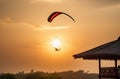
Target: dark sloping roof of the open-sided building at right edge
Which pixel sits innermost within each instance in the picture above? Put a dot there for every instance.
(108, 51)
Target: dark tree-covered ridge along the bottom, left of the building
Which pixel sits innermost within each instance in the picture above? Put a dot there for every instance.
(56, 75)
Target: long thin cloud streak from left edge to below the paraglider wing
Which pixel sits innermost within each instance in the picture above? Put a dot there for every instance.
(10, 22)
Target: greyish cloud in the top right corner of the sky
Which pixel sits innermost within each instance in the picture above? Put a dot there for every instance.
(97, 4)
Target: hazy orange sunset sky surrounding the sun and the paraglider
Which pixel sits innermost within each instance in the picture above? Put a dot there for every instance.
(25, 34)
